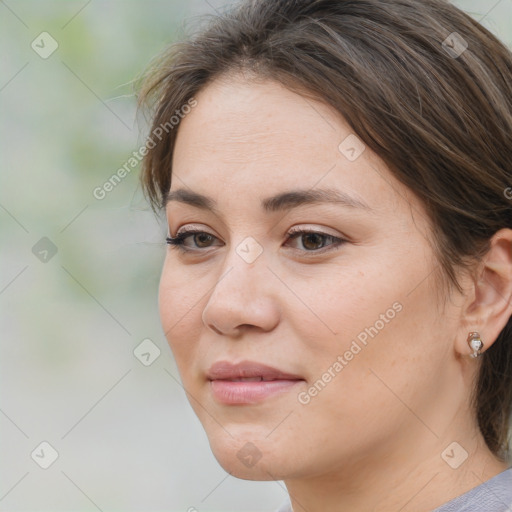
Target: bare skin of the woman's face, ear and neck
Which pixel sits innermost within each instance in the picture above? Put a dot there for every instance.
(372, 438)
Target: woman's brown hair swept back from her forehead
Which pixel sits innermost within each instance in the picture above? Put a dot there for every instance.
(437, 113)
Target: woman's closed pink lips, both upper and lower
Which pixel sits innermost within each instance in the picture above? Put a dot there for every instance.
(248, 382)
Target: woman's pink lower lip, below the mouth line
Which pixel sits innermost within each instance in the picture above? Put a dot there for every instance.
(249, 392)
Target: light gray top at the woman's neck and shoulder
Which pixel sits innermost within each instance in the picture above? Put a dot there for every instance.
(495, 495)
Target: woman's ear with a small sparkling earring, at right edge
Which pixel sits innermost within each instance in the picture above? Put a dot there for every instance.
(489, 304)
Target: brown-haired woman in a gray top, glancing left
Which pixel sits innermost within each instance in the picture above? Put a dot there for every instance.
(338, 283)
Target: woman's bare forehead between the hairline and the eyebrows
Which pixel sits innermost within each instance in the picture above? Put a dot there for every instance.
(252, 138)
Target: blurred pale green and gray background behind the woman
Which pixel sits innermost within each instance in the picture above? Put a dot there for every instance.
(79, 275)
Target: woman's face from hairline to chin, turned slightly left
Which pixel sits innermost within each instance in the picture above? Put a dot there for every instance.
(348, 313)
